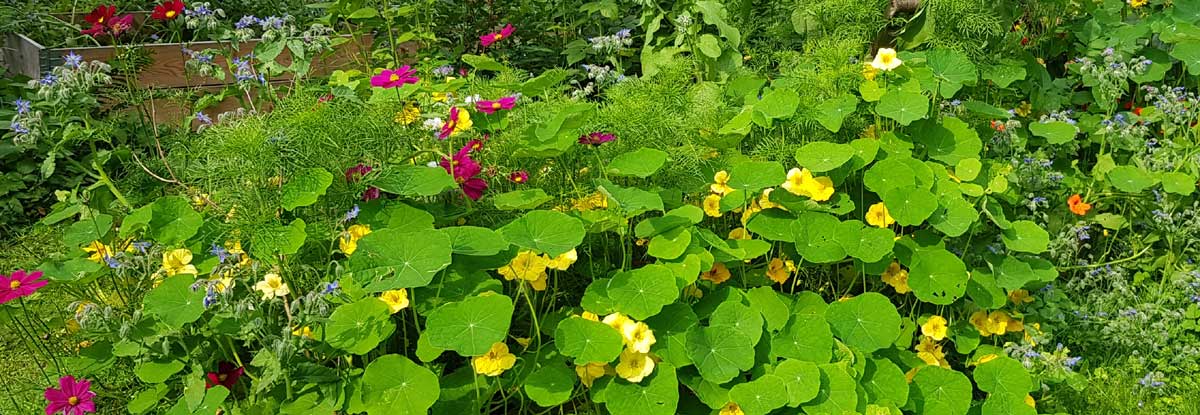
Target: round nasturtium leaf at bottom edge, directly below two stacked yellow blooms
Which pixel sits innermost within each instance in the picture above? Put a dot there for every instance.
(940, 392)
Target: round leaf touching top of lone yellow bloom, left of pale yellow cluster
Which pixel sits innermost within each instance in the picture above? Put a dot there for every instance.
(471, 327)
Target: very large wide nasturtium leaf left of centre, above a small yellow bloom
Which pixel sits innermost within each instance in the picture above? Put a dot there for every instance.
(401, 258)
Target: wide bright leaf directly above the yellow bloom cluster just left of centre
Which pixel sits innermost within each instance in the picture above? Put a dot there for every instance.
(549, 232)
